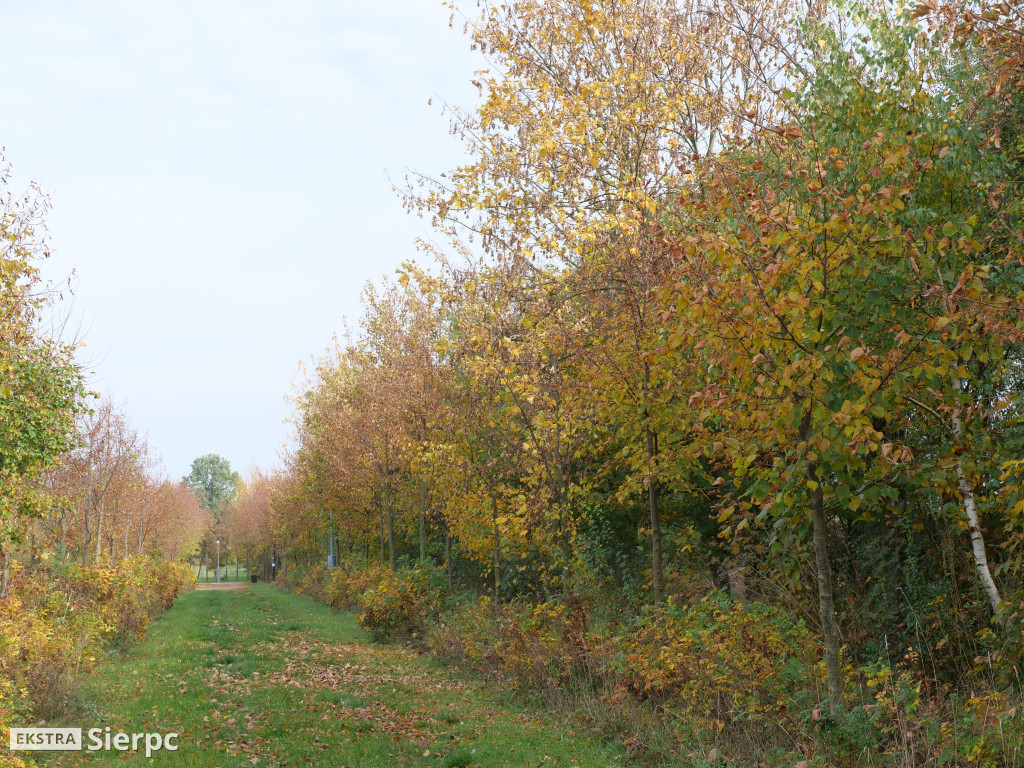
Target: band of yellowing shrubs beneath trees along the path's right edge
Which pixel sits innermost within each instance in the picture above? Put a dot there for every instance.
(672, 682)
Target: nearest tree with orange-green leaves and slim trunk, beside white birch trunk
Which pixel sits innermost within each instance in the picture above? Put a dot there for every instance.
(836, 288)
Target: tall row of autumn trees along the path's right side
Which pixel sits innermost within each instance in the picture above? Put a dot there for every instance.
(727, 294)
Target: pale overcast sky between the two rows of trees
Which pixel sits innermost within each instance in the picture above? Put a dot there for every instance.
(221, 186)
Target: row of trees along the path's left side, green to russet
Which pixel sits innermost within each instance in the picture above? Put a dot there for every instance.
(78, 482)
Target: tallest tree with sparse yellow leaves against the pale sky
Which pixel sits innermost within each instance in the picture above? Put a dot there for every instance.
(589, 115)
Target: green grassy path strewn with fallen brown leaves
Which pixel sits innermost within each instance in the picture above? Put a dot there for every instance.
(260, 677)
